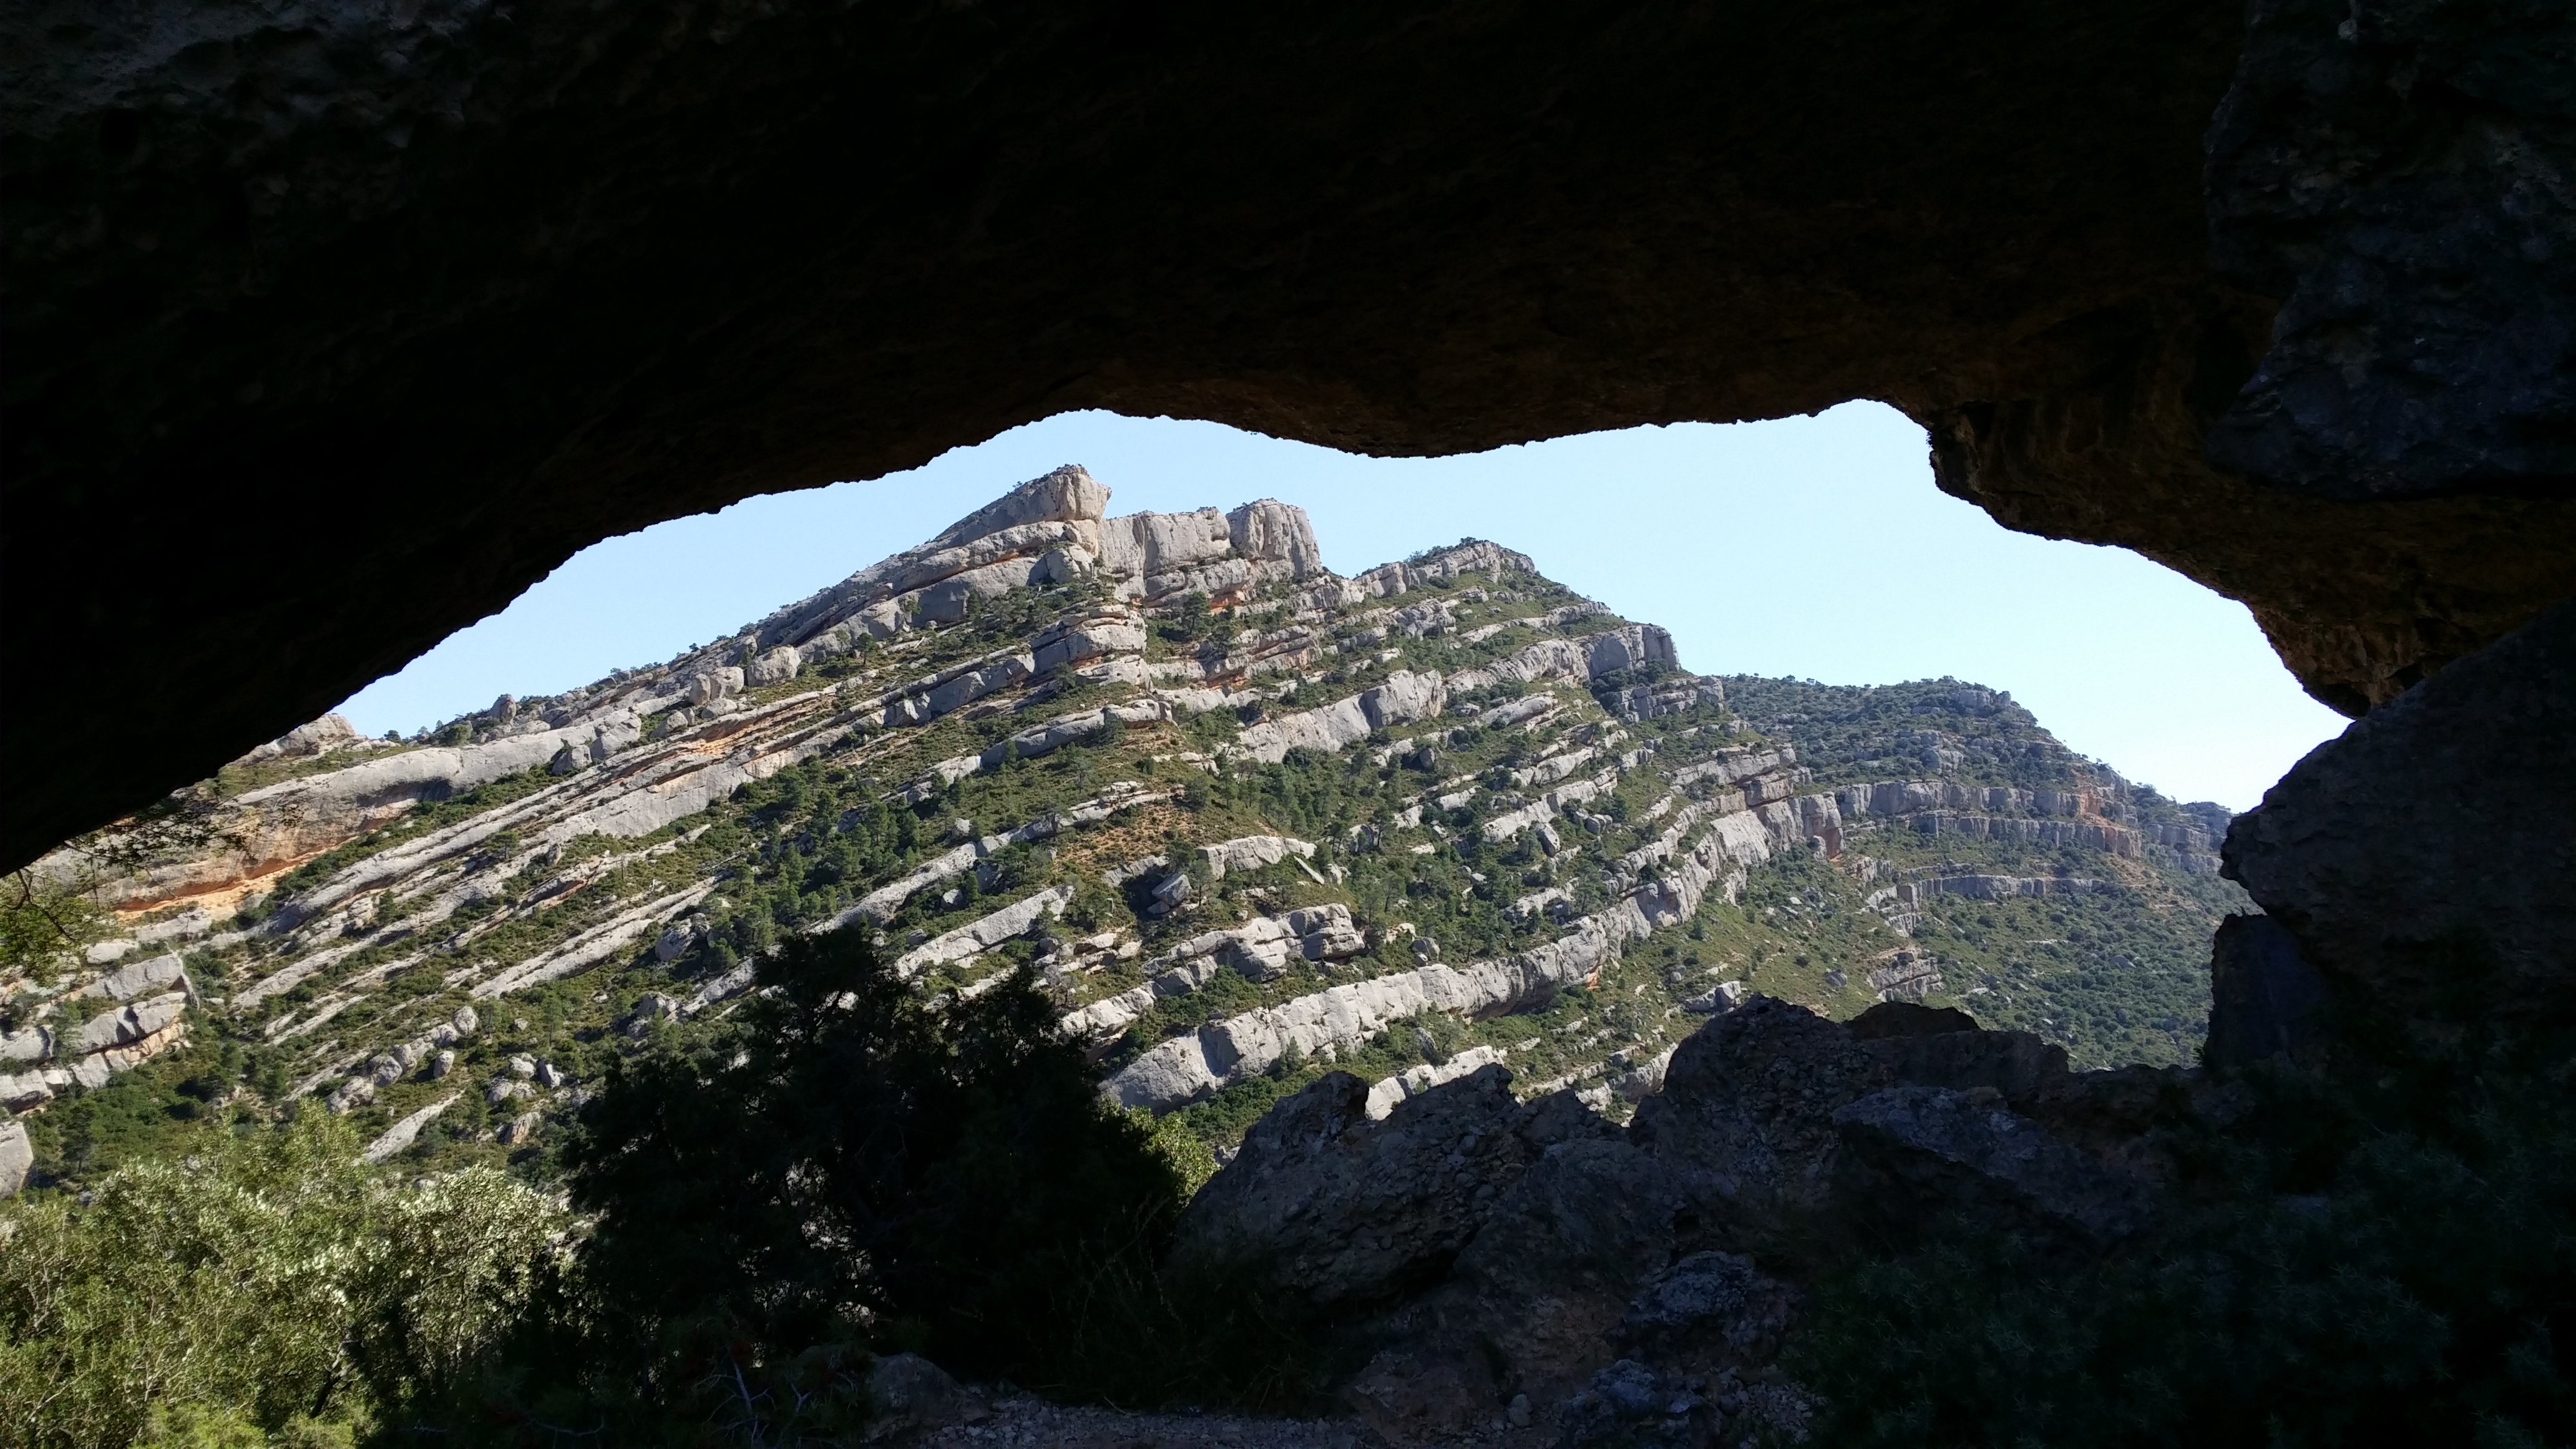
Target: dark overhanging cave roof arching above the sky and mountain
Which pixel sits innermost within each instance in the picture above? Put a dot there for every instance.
(331, 326)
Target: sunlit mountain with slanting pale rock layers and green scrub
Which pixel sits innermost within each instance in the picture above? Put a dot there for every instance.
(1248, 819)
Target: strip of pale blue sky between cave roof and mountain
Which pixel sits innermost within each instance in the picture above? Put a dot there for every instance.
(1807, 548)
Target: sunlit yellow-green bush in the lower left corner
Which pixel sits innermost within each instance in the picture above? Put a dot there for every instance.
(259, 1285)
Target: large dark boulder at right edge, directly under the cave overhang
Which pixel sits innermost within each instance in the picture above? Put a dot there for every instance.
(2423, 860)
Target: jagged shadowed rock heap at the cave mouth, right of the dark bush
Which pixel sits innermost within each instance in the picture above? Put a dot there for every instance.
(1506, 1267)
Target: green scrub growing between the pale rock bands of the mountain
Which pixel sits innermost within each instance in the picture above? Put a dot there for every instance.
(2116, 976)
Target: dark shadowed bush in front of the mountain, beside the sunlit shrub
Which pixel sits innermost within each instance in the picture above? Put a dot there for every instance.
(851, 1169)
